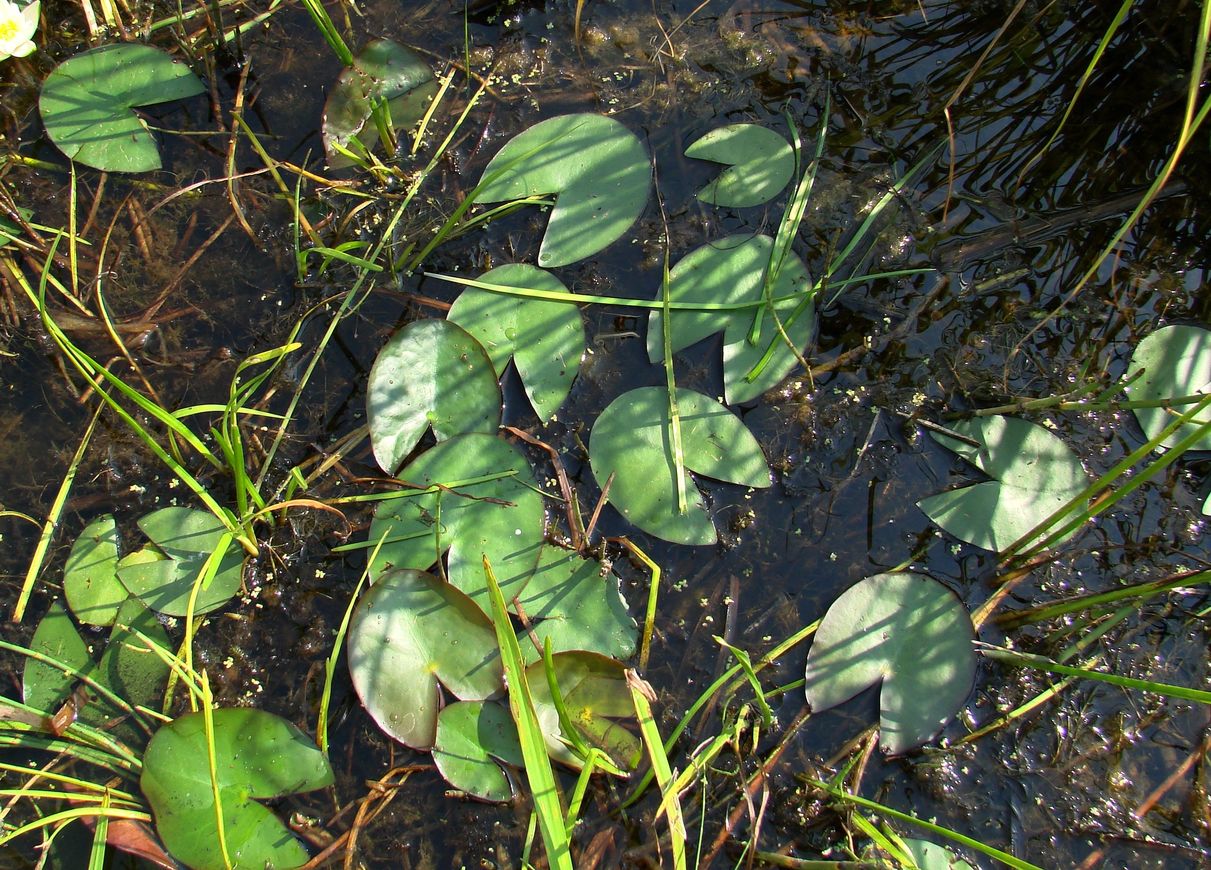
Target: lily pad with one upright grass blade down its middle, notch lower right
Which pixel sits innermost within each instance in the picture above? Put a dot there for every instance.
(633, 440)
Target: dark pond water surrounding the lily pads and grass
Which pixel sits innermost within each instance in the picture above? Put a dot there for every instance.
(1099, 777)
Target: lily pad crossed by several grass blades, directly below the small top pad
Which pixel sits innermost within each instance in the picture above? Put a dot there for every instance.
(732, 271)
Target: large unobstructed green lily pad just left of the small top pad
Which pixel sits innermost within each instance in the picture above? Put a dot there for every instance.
(598, 169)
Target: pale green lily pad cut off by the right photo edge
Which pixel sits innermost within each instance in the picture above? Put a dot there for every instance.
(1176, 362)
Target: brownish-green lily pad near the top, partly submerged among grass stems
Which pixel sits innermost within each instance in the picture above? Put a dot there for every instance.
(384, 70)
